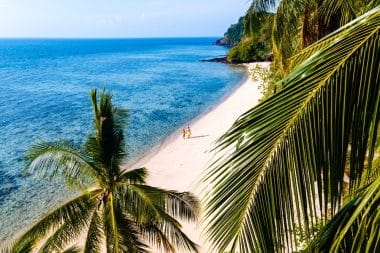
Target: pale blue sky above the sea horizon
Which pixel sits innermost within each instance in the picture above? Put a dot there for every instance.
(118, 18)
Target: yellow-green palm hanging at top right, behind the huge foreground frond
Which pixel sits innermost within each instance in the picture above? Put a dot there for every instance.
(300, 23)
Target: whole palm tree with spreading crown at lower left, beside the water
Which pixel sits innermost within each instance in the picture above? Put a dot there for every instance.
(116, 210)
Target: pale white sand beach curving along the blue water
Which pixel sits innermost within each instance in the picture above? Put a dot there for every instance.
(178, 163)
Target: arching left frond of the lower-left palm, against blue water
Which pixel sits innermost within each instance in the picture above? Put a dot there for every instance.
(60, 159)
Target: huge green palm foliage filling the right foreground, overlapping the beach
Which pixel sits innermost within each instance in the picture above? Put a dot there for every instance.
(287, 156)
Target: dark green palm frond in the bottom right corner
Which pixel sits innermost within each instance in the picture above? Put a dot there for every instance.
(356, 227)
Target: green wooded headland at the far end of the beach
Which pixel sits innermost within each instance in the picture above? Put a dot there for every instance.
(250, 38)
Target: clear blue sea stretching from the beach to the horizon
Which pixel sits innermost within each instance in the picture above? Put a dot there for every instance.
(44, 95)
